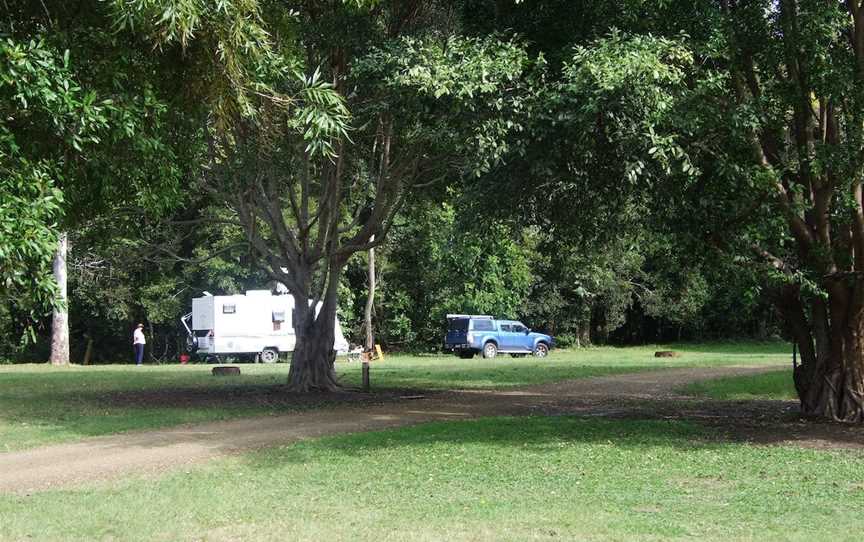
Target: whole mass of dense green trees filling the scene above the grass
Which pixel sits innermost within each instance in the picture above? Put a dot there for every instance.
(609, 172)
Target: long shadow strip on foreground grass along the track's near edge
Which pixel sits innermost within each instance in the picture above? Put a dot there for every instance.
(537, 435)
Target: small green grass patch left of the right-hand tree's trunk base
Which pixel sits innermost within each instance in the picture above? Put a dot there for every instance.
(776, 385)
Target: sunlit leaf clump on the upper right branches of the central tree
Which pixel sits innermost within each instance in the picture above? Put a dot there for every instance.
(464, 98)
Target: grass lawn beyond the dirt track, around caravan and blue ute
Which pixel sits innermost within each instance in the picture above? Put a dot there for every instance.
(40, 404)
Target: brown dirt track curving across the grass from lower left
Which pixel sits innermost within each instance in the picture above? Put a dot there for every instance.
(101, 458)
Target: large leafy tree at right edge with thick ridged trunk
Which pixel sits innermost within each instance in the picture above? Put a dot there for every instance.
(747, 139)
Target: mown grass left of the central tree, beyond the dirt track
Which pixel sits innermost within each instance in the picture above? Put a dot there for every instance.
(40, 404)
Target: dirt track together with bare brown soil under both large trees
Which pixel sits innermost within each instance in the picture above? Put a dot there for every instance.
(640, 395)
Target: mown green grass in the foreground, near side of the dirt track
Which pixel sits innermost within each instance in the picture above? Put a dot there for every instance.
(553, 478)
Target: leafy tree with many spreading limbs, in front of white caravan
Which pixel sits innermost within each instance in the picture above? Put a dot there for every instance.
(308, 193)
